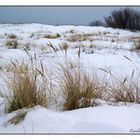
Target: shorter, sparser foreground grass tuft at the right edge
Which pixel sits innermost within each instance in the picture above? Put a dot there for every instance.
(126, 90)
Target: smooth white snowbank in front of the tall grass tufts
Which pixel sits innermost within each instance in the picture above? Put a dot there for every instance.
(100, 119)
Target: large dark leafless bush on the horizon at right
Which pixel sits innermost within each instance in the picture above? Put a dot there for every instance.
(124, 19)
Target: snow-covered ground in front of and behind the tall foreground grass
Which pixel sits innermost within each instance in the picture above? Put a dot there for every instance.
(101, 48)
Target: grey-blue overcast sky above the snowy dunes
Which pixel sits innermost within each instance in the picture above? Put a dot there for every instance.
(55, 15)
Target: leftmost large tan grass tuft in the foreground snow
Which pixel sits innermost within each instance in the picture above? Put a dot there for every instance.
(27, 87)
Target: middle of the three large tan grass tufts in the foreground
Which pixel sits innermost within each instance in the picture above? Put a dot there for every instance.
(78, 88)
